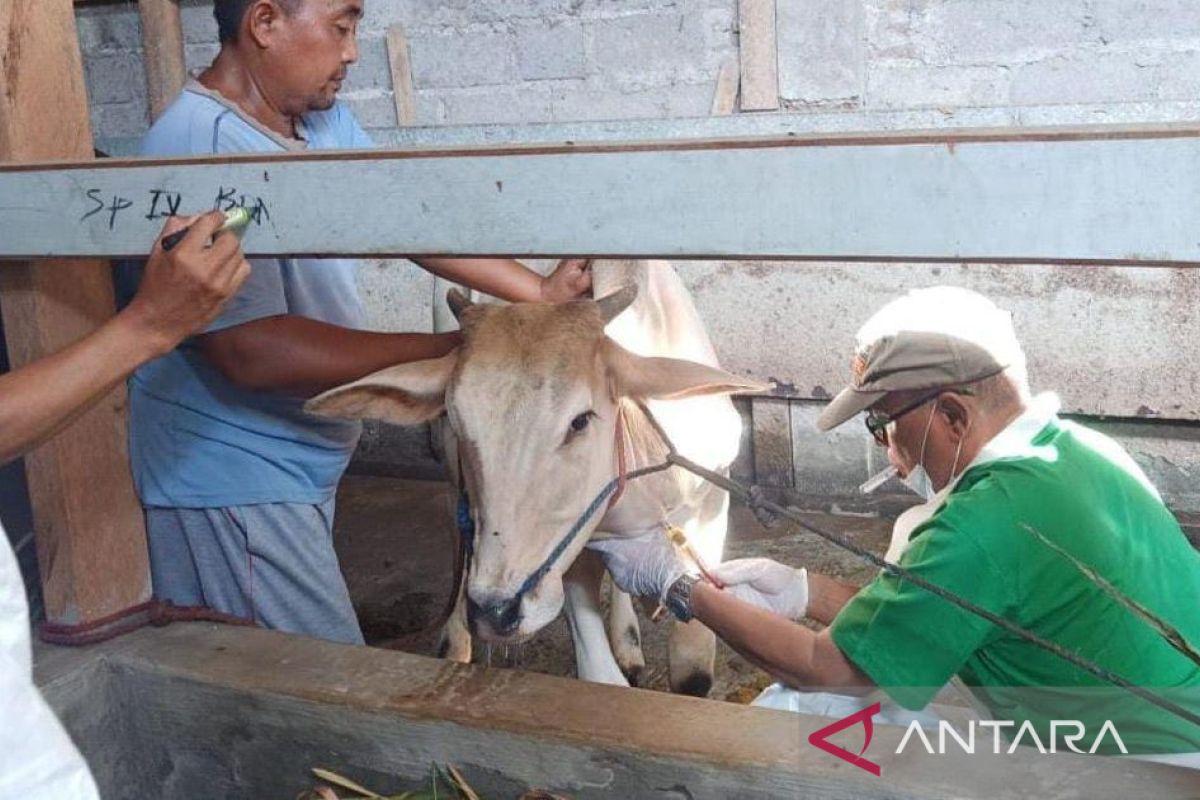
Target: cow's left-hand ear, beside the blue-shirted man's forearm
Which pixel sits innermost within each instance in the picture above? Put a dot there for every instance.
(407, 394)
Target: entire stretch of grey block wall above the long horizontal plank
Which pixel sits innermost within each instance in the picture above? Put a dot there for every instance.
(494, 62)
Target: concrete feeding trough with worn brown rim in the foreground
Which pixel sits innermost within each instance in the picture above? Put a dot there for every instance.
(200, 711)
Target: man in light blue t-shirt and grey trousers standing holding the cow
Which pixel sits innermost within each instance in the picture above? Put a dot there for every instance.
(237, 480)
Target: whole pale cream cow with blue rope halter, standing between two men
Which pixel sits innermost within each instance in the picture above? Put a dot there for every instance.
(538, 399)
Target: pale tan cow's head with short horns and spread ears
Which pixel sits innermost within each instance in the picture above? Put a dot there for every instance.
(532, 396)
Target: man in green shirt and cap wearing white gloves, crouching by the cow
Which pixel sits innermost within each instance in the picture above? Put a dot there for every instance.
(1011, 490)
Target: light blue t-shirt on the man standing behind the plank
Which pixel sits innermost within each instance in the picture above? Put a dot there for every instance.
(196, 440)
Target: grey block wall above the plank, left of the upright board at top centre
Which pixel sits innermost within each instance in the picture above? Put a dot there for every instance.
(475, 62)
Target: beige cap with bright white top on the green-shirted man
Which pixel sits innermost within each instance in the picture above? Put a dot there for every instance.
(928, 339)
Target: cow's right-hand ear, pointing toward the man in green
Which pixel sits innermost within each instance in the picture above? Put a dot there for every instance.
(652, 377)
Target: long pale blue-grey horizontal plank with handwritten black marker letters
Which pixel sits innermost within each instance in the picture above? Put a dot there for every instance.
(1107, 197)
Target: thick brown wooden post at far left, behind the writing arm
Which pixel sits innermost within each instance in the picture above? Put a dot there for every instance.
(88, 522)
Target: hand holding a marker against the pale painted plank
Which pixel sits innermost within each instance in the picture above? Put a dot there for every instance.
(184, 290)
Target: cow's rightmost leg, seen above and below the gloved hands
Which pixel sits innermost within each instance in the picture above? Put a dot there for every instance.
(692, 648)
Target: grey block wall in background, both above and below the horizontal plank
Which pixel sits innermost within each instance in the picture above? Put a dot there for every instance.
(1113, 342)
